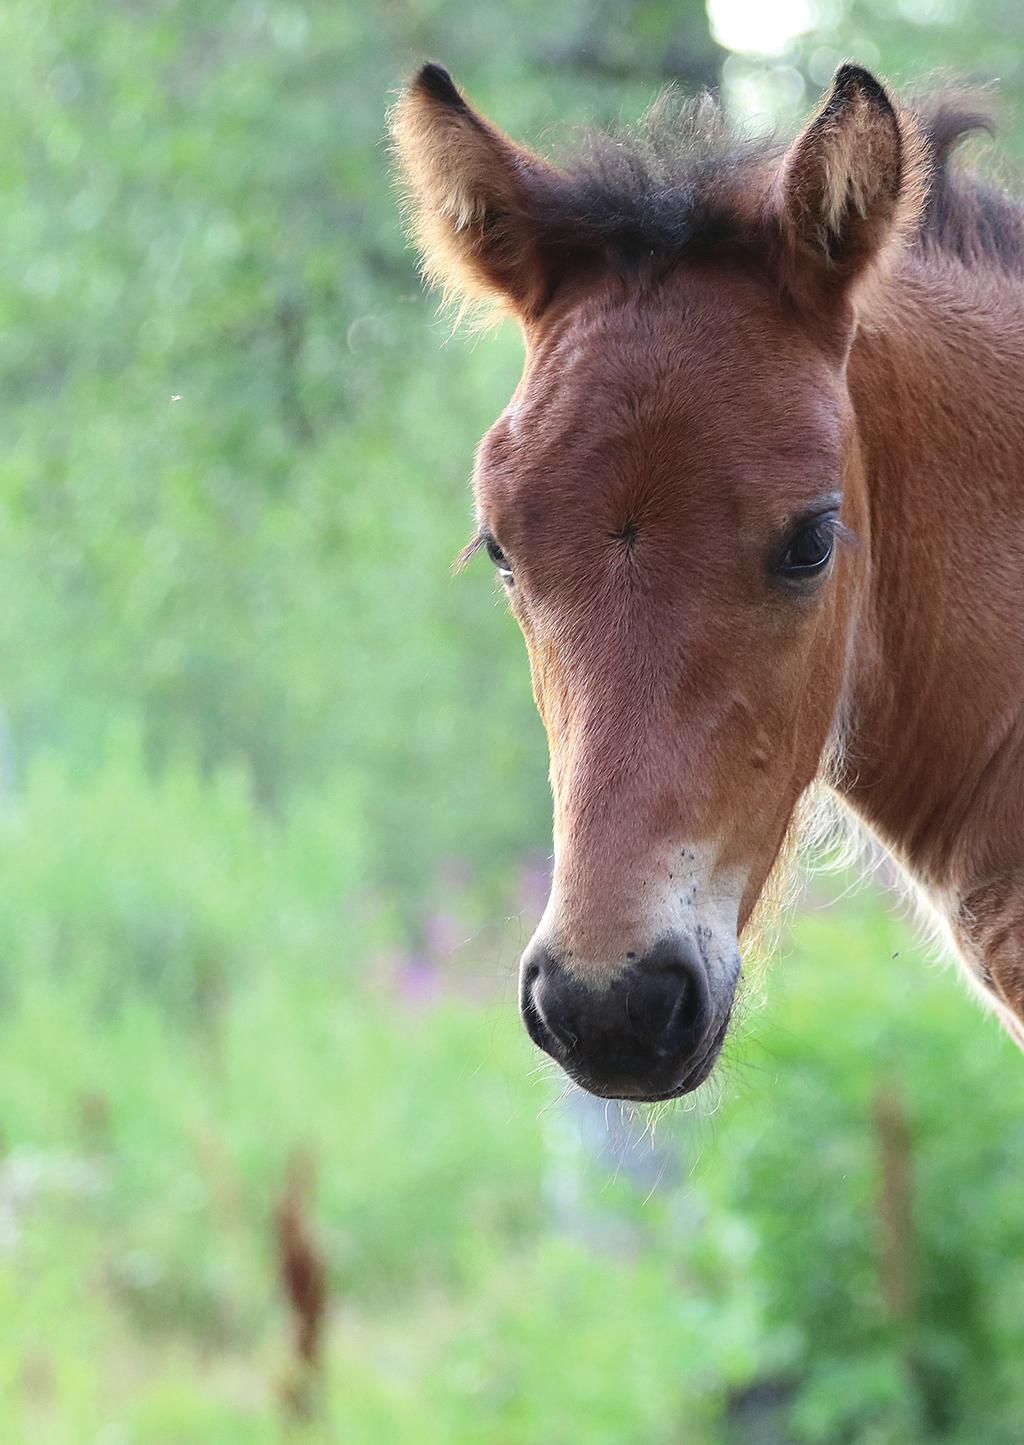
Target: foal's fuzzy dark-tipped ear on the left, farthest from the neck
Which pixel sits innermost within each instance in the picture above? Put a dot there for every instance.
(472, 193)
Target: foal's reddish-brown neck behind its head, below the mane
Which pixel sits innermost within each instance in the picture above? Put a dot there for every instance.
(935, 696)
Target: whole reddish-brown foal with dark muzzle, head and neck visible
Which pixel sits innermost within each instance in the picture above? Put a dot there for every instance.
(758, 508)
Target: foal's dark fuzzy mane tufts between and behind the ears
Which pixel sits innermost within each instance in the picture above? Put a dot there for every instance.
(682, 186)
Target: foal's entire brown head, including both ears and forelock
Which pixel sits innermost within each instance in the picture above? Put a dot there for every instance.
(668, 499)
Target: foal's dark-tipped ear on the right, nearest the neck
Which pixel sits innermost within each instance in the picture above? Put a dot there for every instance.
(850, 183)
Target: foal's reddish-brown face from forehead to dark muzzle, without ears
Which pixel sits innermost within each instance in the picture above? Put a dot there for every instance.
(669, 504)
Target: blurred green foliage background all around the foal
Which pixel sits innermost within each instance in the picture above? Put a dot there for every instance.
(268, 771)
